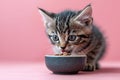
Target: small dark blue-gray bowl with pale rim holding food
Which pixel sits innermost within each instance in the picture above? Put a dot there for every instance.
(65, 64)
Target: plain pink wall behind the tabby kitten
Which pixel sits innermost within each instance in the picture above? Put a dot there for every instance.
(22, 36)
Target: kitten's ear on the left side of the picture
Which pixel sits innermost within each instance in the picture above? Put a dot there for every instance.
(47, 17)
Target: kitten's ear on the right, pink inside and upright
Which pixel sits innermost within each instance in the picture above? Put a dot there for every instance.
(85, 16)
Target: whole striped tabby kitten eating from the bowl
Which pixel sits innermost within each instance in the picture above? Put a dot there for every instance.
(73, 32)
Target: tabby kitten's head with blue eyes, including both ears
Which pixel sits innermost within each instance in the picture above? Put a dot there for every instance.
(68, 29)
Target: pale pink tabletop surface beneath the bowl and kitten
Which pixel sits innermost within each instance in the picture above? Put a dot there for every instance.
(38, 71)
